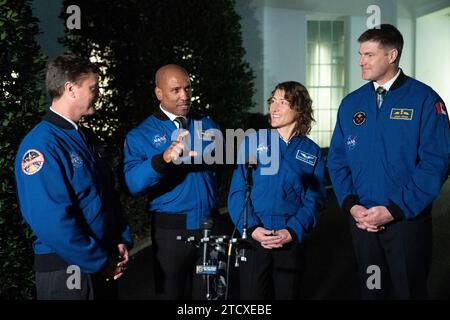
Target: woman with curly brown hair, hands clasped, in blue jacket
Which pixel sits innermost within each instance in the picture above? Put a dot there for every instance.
(284, 203)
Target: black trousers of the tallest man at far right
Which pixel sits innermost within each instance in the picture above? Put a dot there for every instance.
(402, 252)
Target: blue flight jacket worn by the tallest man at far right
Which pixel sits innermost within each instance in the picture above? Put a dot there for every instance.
(396, 156)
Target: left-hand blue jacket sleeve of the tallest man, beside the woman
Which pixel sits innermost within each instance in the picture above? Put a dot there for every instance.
(339, 169)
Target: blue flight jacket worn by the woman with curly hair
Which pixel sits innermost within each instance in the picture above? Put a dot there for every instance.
(288, 199)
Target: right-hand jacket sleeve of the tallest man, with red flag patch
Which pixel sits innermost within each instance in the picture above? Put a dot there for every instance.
(431, 170)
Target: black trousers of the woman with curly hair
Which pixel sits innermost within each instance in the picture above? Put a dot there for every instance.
(271, 273)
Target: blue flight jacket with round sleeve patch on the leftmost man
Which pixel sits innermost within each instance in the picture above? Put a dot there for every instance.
(66, 195)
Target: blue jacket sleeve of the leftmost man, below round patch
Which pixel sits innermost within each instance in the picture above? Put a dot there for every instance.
(45, 199)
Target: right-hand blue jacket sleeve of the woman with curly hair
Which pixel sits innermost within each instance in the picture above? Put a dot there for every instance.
(313, 202)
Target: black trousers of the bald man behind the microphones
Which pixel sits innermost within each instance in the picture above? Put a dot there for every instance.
(175, 261)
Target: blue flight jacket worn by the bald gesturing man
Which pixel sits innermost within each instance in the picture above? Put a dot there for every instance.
(189, 189)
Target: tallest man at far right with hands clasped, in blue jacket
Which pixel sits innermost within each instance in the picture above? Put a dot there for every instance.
(388, 159)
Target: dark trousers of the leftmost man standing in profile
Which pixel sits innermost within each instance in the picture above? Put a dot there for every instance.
(52, 285)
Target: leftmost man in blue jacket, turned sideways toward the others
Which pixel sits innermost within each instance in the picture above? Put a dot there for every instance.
(66, 193)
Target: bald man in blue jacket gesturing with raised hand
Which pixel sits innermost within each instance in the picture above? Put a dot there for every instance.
(181, 190)
